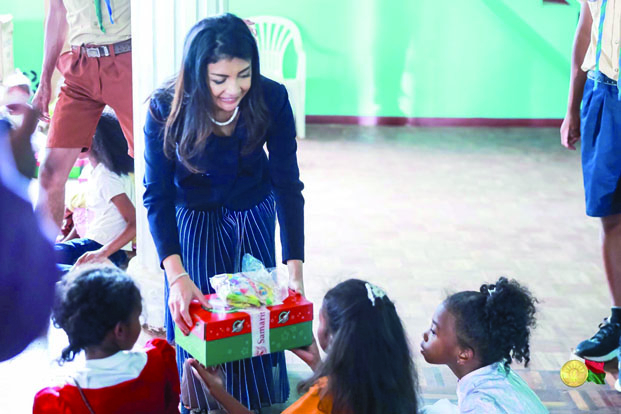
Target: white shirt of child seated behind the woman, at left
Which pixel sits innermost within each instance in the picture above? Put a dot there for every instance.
(106, 222)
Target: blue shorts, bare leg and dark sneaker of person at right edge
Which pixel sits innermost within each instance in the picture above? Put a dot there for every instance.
(601, 165)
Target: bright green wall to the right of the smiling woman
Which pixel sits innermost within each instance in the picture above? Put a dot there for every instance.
(414, 58)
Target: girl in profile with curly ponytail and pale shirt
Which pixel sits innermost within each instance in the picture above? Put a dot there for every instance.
(477, 335)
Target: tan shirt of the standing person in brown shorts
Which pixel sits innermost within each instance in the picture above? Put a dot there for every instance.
(84, 26)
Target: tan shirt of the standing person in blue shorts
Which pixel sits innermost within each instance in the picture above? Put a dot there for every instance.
(611, 37)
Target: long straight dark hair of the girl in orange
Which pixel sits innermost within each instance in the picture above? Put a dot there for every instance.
(369, 365)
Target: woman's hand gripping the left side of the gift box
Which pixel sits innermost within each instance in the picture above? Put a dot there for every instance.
(182, 291)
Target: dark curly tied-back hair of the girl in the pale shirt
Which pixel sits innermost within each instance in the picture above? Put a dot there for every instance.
(495, 322)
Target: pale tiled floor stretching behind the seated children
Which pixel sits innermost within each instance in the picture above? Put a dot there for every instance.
(423, 212)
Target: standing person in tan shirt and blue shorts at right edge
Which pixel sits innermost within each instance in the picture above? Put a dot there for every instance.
(595, 86)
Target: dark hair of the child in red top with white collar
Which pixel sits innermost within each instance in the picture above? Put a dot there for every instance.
(89, 303)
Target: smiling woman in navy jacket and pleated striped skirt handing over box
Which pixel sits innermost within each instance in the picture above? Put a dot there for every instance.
(212, 193)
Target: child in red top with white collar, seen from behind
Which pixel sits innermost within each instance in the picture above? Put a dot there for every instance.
(99, 309)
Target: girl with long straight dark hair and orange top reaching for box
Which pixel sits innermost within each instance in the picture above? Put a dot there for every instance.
(368, 368)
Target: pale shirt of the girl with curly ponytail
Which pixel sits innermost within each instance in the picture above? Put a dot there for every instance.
(492, 390)
